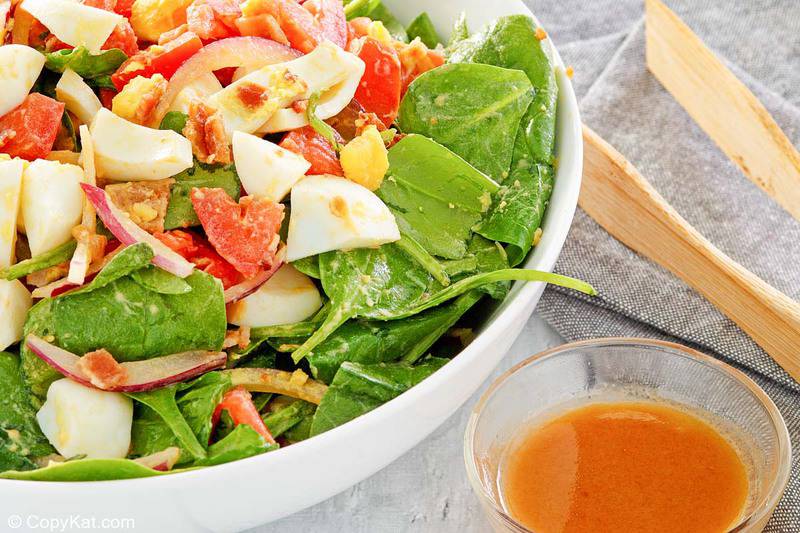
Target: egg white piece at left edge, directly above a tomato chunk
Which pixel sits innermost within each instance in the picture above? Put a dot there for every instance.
(19, 67)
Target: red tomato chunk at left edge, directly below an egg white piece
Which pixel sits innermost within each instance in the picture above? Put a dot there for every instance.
(29, 130)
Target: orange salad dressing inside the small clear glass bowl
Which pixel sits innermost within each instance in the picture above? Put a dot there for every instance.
(624, 467)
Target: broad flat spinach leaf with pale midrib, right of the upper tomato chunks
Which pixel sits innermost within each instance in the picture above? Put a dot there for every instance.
(472, 109)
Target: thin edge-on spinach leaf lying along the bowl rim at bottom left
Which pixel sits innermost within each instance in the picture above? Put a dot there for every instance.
(87, 470)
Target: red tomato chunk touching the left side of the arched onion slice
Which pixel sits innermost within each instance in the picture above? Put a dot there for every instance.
(164, 60)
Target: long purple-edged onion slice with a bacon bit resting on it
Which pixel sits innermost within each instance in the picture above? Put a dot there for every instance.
(141, 375)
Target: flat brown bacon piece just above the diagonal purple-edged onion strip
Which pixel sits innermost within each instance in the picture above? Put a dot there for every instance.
(145, 201)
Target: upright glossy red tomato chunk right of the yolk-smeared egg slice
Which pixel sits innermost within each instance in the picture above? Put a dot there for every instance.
(379, 90)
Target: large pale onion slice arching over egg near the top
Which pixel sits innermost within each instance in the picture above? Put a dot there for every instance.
(250, 52)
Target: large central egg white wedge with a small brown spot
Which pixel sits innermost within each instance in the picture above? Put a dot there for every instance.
(332, 213)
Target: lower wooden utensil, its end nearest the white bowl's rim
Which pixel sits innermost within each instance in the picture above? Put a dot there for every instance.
(629, 208)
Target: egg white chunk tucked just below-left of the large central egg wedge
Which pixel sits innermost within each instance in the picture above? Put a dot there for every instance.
(288, 297)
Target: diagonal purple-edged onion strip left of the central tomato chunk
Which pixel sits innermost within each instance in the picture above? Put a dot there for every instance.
(124, 229)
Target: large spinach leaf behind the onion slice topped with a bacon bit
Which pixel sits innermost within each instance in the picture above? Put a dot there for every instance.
(117, 313)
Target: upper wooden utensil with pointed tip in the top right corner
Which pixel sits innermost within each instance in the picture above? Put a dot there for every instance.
(722, 105)
